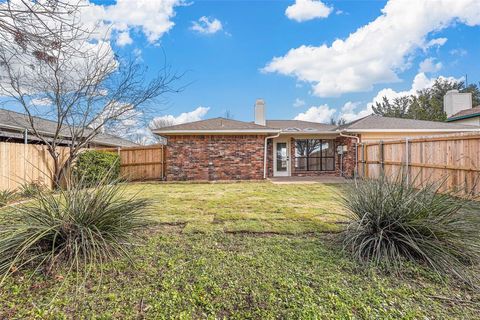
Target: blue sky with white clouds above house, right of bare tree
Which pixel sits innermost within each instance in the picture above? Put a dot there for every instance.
(308, 59)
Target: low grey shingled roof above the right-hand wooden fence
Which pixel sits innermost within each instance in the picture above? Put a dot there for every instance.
(377, 123)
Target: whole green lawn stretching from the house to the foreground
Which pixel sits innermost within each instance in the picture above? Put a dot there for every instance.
(244, 250)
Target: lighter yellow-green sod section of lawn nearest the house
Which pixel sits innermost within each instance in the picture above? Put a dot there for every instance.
(245, 207)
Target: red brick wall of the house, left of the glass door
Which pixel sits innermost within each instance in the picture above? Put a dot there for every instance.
(215, 157)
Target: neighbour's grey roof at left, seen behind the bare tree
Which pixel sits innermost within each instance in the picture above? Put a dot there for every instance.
(13, 124)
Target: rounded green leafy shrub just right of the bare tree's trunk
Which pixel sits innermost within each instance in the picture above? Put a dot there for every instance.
(93, 165)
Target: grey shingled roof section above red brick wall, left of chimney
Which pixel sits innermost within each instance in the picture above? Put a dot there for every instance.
(215, 125)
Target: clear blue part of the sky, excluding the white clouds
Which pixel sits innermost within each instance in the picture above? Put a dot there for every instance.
(224, 69)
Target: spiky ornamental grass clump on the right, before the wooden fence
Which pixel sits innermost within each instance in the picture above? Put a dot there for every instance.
(391, 221)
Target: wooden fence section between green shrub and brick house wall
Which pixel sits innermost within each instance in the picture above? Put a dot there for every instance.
(141, 163)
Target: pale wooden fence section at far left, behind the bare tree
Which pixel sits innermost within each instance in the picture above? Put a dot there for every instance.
(25, 163)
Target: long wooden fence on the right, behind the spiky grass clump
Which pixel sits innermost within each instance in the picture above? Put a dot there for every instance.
(455, 158)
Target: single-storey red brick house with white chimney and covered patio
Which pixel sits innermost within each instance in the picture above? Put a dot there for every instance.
(226, 149)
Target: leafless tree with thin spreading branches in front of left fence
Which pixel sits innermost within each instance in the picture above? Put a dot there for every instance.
(73, 78)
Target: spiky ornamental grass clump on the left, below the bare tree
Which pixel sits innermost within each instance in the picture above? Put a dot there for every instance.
(78, 228)
